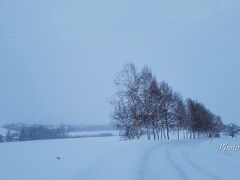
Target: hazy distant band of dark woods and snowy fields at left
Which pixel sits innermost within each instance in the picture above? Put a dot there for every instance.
(23, 132)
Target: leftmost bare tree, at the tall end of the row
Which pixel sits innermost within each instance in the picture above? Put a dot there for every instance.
(126, 113)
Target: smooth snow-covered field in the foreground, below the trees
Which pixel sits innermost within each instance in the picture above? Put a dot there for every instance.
(109, 158)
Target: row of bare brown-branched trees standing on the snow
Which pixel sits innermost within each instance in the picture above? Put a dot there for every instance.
(144, 106)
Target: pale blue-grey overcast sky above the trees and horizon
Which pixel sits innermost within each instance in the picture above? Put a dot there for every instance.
(58, 58)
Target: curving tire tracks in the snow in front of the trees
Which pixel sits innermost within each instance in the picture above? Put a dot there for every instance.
(168, 150)
